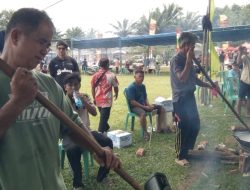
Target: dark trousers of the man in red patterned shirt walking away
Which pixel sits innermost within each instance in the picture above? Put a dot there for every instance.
(104, 117)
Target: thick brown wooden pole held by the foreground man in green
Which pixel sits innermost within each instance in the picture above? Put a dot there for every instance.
(81, 132)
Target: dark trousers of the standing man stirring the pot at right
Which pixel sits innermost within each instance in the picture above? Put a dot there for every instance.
(188, 124)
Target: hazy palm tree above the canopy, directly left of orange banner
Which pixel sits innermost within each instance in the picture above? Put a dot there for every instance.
(123, 28)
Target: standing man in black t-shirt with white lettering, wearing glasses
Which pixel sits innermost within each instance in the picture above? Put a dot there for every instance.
(62, 63)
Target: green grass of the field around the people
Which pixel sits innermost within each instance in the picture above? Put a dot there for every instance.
(160, 154)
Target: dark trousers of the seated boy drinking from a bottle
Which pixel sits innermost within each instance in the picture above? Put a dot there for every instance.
(74, 157)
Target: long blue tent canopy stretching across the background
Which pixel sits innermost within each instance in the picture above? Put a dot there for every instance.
(218, 35)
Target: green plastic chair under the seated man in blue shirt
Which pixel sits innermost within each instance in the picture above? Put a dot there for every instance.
(133, 115)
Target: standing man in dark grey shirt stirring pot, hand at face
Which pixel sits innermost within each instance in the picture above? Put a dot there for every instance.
(183, 82)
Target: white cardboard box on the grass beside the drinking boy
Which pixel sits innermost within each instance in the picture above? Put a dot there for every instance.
(120, 138)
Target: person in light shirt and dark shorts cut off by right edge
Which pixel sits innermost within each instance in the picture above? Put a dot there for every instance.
(244, 91)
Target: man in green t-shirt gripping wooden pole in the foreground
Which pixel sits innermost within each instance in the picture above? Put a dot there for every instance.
(29, 134)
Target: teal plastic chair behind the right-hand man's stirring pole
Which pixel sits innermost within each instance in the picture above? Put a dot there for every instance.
(231, 91)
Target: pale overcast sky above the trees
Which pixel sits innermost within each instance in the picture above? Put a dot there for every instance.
(99, 14)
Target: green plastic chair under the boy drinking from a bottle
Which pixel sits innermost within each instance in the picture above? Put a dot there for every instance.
(87, 156)
